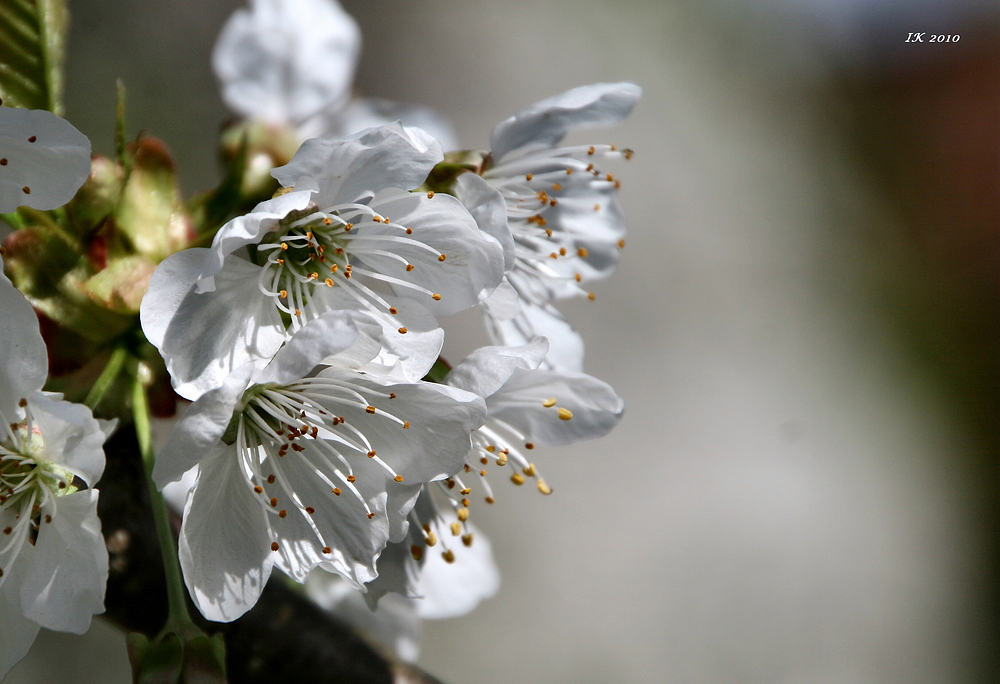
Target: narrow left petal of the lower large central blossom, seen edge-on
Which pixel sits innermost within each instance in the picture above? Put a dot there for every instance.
(198, 431)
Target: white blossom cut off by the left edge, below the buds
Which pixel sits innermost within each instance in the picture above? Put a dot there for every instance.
(53, 561)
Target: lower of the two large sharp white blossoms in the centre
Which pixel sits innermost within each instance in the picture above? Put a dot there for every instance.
(304, 469)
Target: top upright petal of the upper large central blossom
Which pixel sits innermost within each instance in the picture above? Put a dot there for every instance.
(357, 167)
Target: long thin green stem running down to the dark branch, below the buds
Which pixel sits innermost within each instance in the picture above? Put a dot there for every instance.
(178, 621)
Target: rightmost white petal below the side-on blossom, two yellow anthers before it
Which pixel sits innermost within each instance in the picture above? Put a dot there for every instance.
(585, 407)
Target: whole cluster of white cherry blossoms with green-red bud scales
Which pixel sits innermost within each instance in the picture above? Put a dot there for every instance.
(326, 436)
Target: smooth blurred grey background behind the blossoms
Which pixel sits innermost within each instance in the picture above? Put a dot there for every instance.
(803, 326)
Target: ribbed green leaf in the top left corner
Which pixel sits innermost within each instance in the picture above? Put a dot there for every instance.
(32, 48)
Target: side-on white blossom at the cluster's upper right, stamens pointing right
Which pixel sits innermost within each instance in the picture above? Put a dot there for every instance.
(563, 212)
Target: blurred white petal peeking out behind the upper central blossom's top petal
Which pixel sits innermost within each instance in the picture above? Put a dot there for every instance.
(369, 112)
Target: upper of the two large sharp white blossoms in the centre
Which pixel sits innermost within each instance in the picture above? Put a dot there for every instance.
(348, 236)
